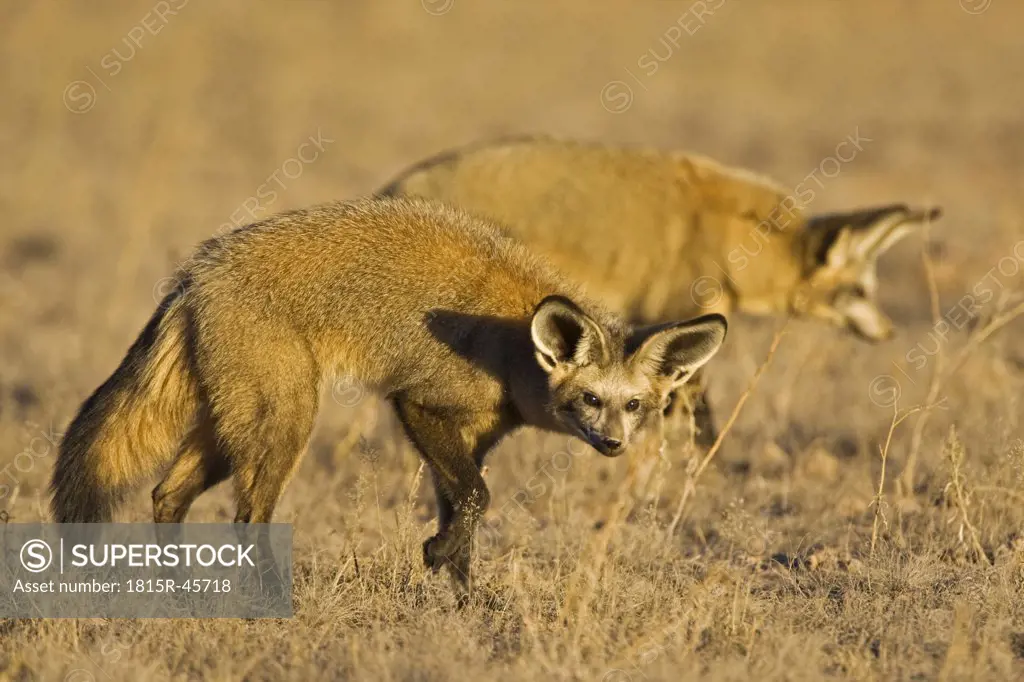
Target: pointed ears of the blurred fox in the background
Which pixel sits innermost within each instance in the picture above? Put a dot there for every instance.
(862, 237)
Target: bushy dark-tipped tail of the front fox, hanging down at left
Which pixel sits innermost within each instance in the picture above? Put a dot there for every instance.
(132, 425)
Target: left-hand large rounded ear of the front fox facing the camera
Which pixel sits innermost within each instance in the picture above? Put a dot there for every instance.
(565, 334)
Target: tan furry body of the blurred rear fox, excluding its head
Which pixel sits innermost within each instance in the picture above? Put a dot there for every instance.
(637, 228)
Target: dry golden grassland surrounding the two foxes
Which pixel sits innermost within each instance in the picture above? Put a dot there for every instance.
(800, 553)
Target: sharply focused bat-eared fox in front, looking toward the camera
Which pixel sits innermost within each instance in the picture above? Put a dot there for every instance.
(466, 333)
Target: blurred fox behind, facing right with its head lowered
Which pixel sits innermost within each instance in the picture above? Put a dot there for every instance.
(659, 236)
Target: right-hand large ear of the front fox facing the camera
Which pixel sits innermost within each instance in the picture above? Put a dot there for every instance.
(678, 350)
